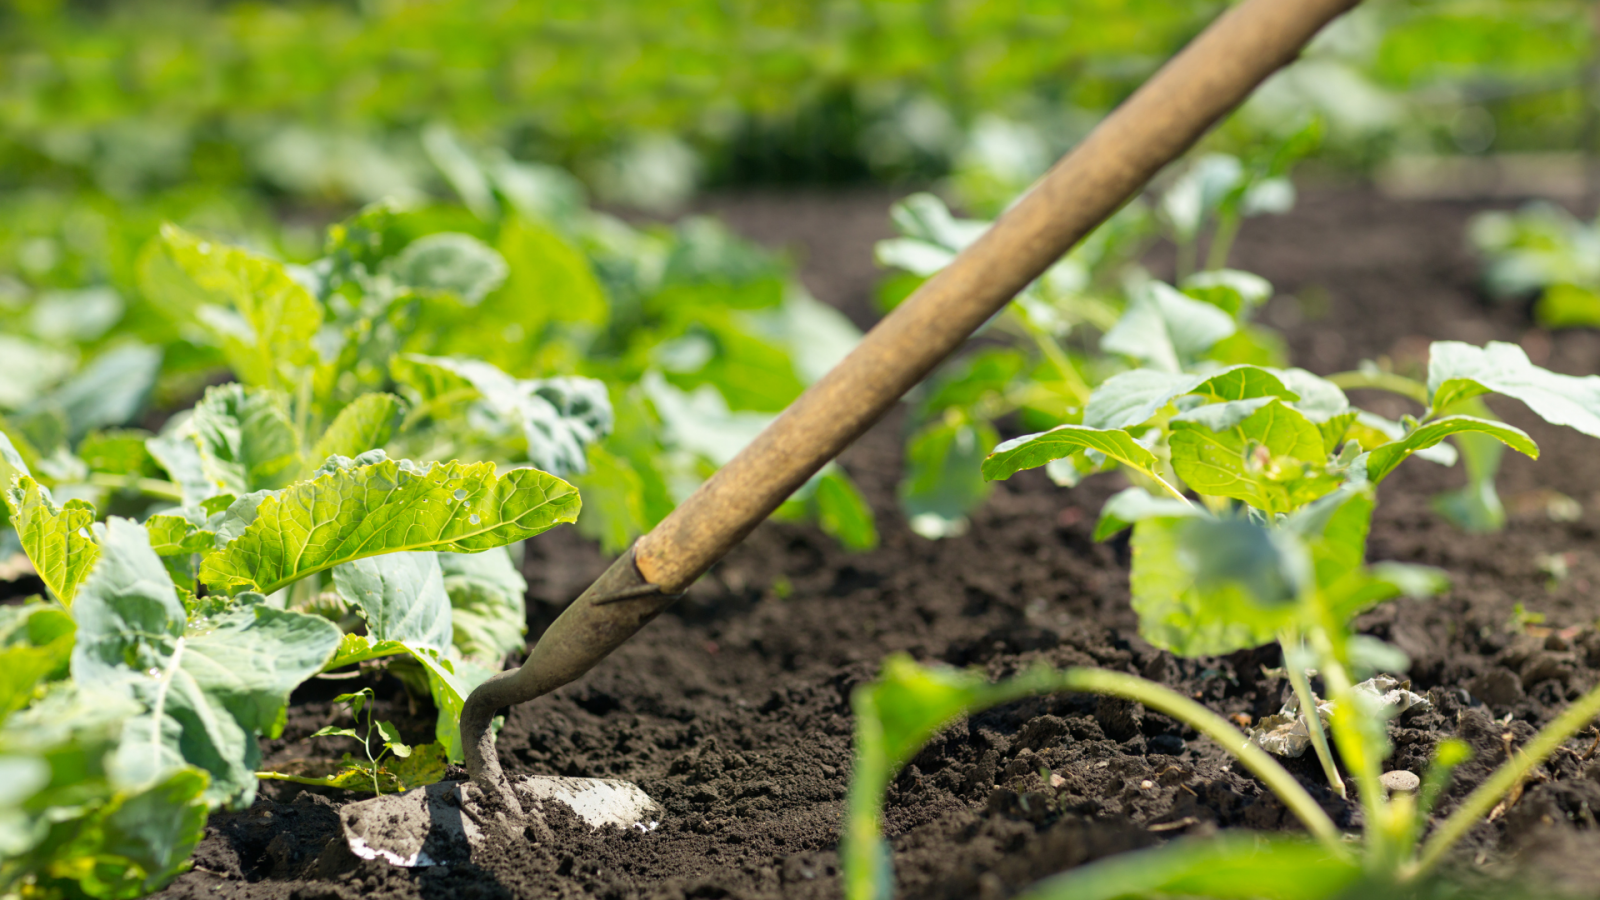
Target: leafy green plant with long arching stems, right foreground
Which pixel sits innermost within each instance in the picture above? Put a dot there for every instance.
(1273, 548)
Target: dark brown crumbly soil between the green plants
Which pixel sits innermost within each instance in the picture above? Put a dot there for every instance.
(734, 713)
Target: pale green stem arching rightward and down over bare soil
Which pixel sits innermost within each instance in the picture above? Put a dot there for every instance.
(1210, 725)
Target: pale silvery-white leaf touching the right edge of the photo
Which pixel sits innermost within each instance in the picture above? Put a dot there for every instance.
(1457, 372)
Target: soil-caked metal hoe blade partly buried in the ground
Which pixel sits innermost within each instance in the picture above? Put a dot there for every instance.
(438, 826)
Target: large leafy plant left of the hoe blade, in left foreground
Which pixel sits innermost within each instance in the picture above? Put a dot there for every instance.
(170, 646)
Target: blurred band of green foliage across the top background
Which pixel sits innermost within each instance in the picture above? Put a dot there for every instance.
(263, 123)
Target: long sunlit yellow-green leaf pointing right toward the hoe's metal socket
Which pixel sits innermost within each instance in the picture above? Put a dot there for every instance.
(353, 512)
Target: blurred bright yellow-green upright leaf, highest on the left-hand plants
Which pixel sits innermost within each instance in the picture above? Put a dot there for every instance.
(263, 318)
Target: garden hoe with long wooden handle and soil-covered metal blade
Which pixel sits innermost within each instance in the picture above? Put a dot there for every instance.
(1154, 127)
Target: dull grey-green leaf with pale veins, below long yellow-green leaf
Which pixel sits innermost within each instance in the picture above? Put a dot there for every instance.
(222, 683)
